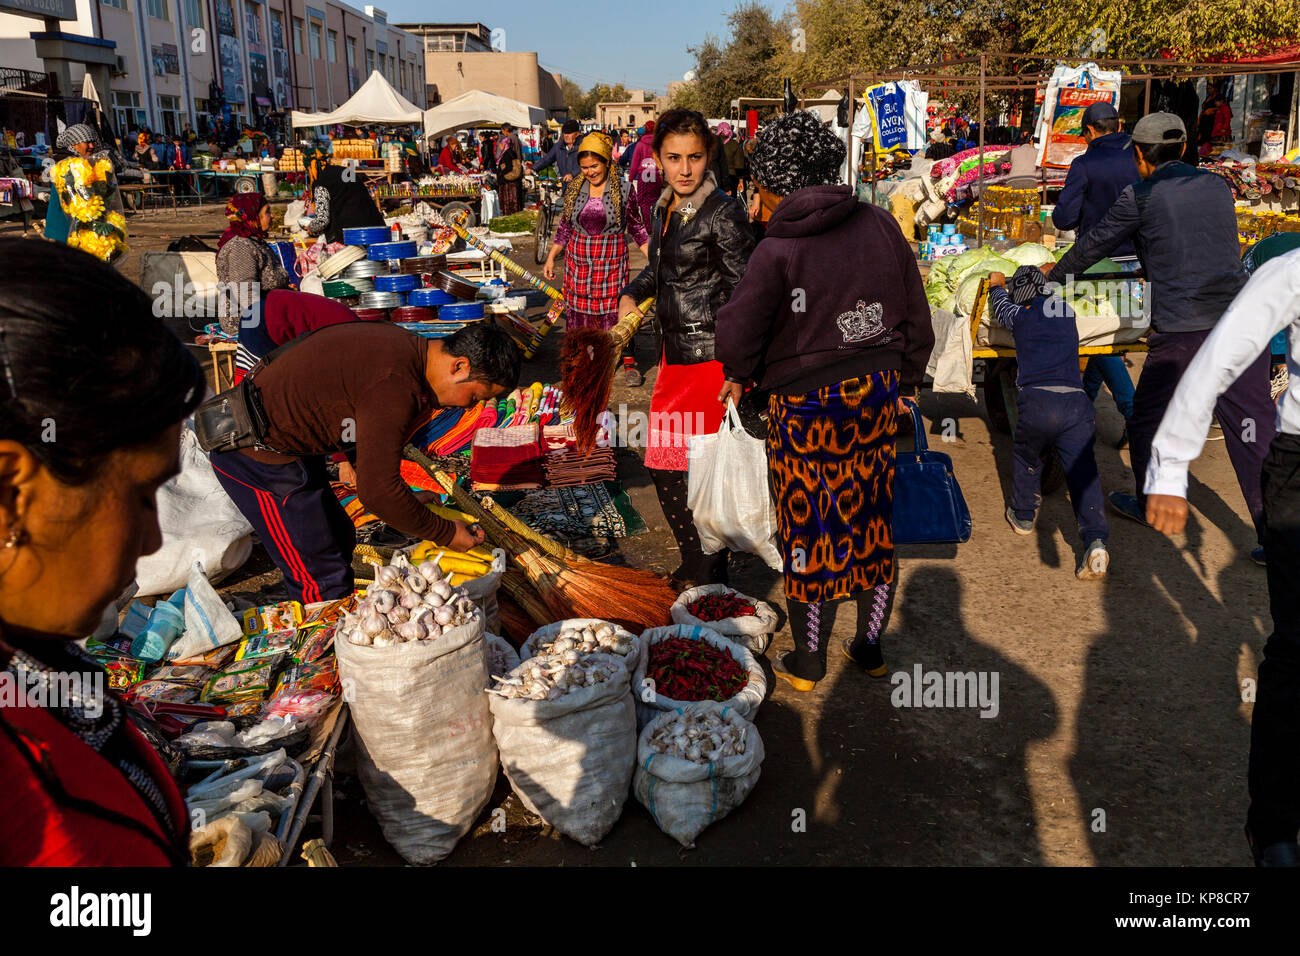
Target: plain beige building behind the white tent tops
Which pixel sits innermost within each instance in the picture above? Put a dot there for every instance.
(460, 58)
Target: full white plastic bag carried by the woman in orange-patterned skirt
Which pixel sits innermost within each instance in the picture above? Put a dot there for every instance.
(727, 491)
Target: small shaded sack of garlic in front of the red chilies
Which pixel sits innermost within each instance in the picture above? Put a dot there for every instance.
(696, 765)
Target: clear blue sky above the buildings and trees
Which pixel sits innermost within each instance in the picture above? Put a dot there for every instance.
(640, 45)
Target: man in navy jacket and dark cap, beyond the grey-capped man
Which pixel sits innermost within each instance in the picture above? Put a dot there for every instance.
(1094, 184)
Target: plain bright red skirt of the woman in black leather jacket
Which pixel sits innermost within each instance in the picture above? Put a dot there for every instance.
(684, 403)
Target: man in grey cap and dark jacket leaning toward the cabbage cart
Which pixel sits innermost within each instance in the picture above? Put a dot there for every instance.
(1184, 226)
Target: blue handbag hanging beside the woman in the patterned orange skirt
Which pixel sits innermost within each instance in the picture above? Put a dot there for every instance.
(929, 507)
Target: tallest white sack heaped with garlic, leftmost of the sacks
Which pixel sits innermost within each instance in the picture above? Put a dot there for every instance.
(414, 673)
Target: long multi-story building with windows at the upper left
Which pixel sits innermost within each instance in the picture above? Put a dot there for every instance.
(266, 57)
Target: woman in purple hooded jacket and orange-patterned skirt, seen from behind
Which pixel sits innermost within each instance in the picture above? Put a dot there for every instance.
(830, 319)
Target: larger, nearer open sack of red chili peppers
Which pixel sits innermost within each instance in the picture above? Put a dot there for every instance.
(691, 667)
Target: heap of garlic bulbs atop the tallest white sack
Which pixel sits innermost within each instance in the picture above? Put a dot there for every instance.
(406, 604)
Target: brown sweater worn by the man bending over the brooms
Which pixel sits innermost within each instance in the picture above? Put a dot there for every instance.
(363, 383)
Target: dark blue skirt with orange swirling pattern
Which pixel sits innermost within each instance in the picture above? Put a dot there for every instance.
(831, 456)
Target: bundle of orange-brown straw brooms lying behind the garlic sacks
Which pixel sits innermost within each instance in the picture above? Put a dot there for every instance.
(569, 585)
